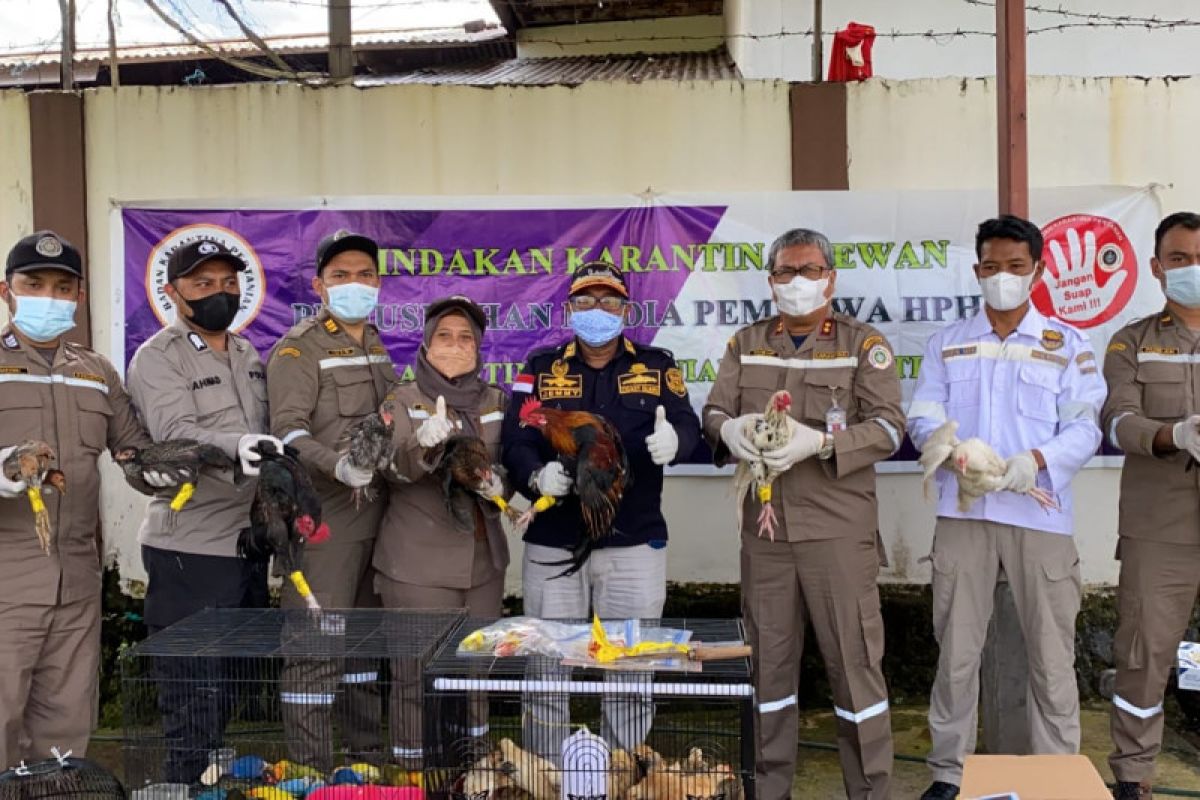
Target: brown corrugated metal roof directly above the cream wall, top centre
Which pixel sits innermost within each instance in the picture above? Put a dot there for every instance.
(712, 65)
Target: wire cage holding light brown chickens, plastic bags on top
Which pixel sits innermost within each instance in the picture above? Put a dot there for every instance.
(531, 727)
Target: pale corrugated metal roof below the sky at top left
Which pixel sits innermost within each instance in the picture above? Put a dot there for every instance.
(283, 45)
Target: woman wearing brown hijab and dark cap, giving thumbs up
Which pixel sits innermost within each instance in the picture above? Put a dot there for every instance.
(429, 556)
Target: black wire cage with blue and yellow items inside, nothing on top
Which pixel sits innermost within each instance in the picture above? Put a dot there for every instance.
(289, 701)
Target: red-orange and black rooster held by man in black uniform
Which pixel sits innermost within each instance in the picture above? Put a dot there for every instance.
(591, 448)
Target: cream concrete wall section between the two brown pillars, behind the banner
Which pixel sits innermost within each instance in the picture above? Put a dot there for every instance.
(271, 142)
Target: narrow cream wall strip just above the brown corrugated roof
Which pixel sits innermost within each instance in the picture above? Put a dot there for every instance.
(665, 35)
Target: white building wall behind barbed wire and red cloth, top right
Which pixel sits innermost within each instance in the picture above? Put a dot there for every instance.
(1081, 51)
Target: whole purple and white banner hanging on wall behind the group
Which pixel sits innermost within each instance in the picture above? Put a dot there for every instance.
(695, 264)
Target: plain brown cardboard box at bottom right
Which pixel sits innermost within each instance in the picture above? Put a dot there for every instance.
(1034, 778)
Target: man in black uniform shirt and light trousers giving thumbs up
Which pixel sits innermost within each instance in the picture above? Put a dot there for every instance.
(641, 392)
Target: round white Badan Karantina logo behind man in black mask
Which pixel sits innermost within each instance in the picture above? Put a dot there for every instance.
(253, 281)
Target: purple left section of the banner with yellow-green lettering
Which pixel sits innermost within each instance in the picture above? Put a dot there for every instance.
(515, 263)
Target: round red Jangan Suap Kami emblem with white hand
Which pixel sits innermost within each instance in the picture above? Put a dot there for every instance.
(1091, 270)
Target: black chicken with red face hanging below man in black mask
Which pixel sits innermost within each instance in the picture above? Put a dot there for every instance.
(285, 515)
